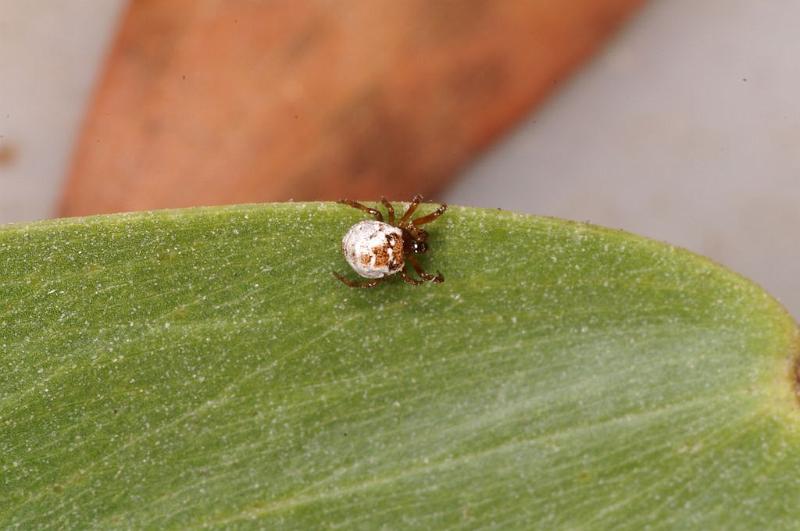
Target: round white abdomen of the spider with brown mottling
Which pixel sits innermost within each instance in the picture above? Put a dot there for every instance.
(374, 249)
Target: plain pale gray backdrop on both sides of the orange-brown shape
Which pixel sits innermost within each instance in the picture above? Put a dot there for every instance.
(686, 128)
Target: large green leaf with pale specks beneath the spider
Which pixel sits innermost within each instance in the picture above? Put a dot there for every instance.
(203, 368)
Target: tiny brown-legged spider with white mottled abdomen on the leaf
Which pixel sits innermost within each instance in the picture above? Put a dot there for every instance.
(377, 250)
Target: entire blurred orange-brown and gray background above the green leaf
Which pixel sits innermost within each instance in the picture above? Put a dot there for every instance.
(678, 120)
